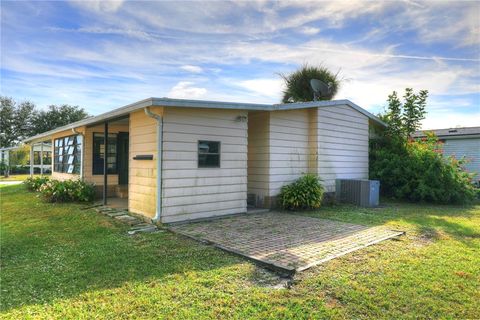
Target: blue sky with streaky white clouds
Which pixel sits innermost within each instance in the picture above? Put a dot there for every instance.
(102, 55)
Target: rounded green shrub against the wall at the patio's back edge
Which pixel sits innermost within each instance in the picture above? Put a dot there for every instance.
(305, 193)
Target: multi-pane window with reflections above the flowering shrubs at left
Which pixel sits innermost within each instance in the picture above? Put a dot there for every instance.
(67, 154)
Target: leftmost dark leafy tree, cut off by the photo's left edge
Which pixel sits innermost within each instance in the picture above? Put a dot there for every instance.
(15, 121)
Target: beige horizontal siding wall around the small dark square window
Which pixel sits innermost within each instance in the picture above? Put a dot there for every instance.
(190, 192)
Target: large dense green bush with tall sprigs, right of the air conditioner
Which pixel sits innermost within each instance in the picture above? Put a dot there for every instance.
(416, 170)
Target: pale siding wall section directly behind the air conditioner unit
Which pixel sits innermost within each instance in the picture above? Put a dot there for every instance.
(342, 144)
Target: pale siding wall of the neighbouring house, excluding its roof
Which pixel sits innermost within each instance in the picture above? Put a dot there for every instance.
(470, 148)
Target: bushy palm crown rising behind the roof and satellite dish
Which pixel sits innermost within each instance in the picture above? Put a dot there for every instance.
(298, 87)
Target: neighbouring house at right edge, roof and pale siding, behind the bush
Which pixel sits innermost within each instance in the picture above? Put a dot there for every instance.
(460, 142)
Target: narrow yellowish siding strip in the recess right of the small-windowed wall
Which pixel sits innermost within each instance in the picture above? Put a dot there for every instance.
(258, 155)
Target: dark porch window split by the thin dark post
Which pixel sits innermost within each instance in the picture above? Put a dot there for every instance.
(99, 153)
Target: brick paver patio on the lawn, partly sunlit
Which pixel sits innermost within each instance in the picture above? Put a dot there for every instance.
(285, 241)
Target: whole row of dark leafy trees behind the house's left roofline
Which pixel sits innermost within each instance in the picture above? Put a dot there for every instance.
(20, 120)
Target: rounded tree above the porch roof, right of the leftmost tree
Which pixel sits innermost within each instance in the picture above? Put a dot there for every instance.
(57, 116)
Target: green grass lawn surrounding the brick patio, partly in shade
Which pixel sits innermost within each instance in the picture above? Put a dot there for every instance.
(58, 261)
